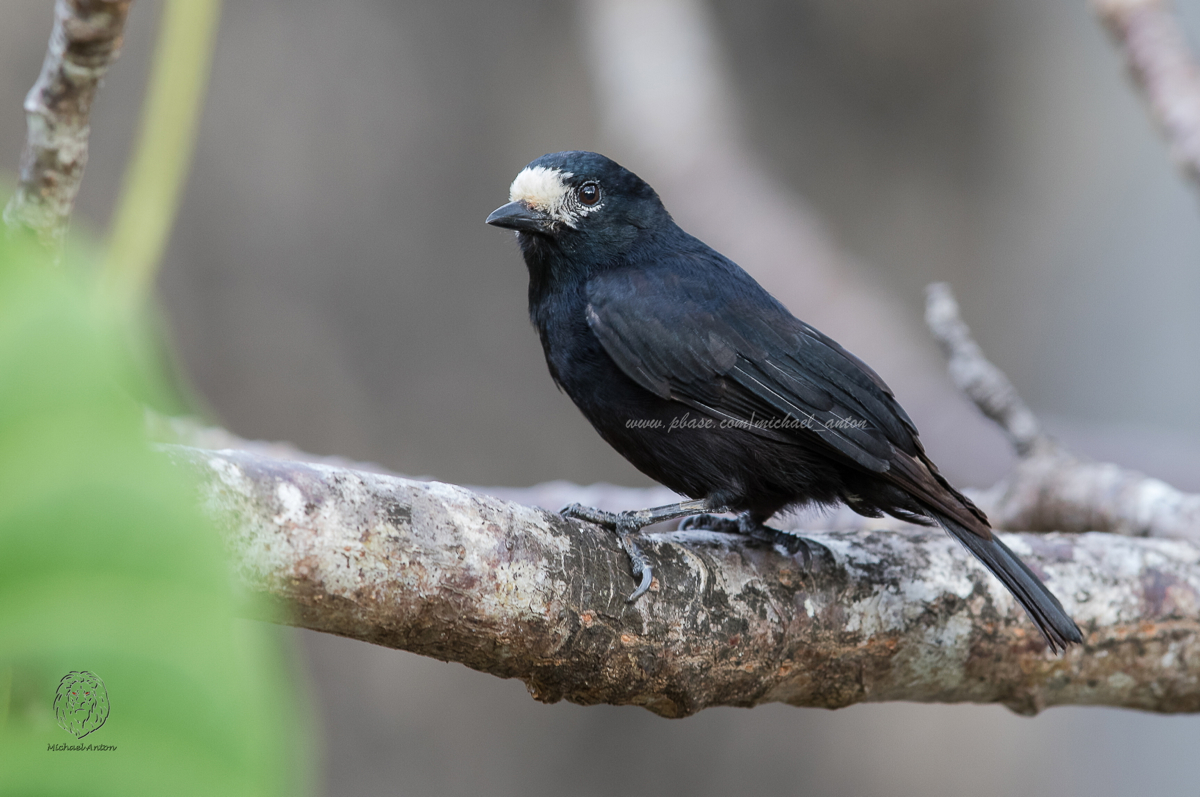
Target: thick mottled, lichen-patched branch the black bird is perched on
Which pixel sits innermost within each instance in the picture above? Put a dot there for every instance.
(523, 594)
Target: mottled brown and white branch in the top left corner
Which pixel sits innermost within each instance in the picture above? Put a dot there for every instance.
(86, 40)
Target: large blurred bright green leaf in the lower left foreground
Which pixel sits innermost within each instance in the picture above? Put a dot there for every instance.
(107, 567)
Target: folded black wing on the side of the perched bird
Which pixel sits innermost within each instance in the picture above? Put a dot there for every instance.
(707, 335)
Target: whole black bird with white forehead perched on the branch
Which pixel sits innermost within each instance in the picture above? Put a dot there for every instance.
(706, 383)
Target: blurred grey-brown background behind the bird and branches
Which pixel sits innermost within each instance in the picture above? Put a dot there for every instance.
(331, 283)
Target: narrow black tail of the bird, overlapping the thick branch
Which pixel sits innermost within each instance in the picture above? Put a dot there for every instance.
(1041, 604)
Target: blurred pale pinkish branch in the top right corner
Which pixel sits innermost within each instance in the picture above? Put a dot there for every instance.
(1163, 67)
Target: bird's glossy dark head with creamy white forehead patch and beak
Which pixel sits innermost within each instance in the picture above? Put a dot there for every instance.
(580, 205)
